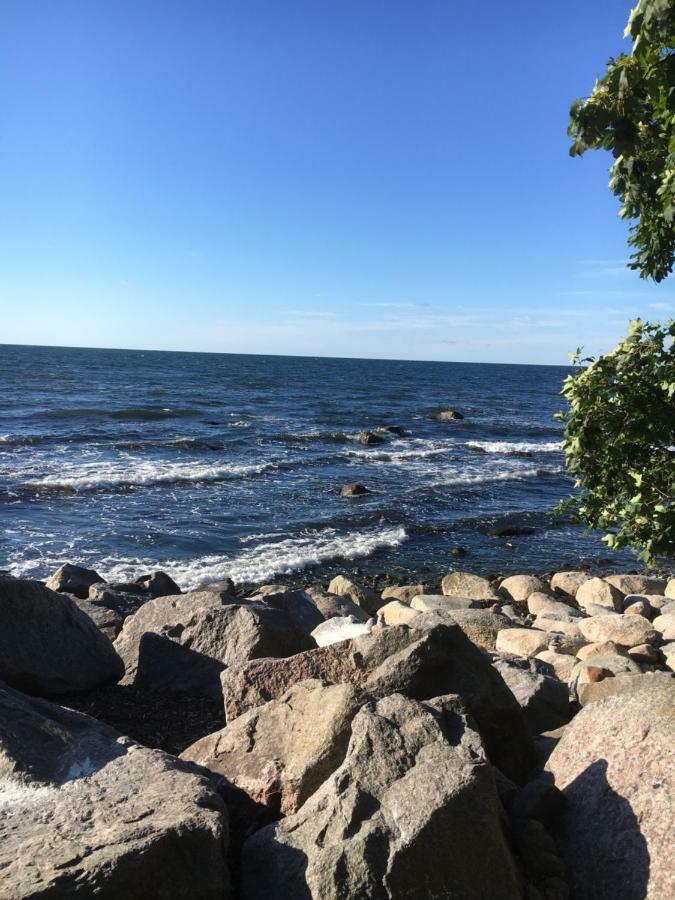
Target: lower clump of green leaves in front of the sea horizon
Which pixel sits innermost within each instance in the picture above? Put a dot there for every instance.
(619, 441)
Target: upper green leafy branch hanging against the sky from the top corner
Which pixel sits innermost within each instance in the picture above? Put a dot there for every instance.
(631, 112)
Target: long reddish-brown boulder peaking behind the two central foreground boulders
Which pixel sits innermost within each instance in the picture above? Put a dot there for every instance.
(422, 661)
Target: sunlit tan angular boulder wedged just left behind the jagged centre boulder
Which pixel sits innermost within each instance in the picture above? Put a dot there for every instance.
(280, 753)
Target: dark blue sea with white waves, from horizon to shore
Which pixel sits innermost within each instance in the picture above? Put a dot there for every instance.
(214, 464)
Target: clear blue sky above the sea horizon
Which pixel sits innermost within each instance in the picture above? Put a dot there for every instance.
(379, 178)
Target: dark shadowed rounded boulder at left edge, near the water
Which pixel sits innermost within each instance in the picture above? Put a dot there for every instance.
(48, 646)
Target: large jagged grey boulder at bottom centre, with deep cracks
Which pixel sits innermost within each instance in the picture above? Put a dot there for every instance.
(410, 813)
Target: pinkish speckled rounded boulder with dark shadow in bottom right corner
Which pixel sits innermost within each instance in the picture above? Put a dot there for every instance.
(616, 768)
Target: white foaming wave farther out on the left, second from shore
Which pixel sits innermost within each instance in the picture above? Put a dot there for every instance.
(132, 473)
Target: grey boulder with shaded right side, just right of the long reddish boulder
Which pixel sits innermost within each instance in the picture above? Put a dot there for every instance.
(543, 698)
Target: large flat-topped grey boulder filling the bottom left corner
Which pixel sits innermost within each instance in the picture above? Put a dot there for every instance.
(85, 812)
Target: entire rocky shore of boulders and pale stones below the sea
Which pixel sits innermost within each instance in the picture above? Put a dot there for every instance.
(508, 739)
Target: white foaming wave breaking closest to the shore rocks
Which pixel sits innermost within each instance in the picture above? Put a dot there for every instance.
(262, 562)
